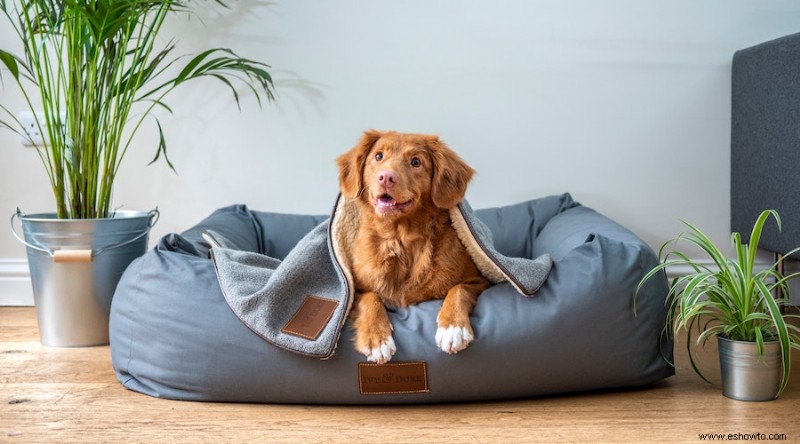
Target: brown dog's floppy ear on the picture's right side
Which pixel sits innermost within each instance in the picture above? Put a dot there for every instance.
(450, 174)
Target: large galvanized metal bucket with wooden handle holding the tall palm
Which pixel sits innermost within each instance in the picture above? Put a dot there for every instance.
(75, 265)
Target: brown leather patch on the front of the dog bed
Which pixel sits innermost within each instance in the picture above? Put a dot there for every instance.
(392, 378)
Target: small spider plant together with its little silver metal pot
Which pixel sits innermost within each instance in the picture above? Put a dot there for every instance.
(734, 302)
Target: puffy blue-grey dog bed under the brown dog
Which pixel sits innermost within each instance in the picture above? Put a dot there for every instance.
(173, 335)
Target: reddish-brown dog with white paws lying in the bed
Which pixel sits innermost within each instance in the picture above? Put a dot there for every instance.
(406, 250)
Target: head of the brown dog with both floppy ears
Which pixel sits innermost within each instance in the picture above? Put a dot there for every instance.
(398, 173)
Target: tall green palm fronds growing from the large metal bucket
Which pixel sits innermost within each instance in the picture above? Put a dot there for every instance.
(100, 68)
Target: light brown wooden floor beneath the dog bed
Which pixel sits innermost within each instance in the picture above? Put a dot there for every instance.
(72, 395)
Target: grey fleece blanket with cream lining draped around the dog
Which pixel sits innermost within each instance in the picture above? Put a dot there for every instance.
(301, 303)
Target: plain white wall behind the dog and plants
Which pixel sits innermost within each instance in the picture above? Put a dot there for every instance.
(623, 103)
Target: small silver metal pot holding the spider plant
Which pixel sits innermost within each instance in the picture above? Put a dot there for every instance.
(746, 375)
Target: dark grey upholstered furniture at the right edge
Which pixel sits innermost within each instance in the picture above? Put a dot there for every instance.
(765, 140)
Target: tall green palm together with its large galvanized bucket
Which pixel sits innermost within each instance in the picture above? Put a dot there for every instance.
(91, 73)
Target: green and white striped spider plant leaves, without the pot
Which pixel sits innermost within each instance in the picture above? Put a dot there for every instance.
(731, 298)
